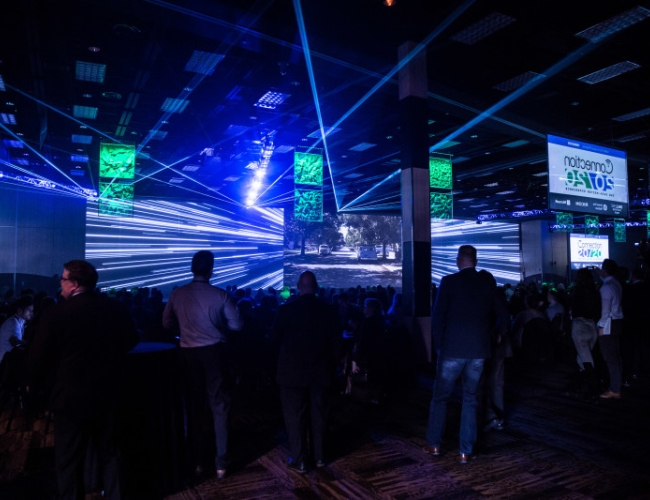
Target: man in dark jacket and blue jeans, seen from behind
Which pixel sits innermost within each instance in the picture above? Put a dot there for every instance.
(464, 315)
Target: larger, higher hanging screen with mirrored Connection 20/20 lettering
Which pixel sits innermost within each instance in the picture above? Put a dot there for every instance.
(586, 178)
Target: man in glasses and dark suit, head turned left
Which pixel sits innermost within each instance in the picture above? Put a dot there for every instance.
(81, 347)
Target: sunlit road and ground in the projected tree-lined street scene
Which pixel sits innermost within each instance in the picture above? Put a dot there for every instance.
(341, 268)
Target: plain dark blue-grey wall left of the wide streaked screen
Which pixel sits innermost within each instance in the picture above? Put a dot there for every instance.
(39, 231)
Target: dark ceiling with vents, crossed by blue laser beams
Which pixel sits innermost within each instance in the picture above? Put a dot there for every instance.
(501, 76)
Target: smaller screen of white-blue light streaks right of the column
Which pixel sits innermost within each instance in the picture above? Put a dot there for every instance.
(497, 245)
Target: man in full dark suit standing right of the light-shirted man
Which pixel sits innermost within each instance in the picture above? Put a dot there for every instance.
(307, 332)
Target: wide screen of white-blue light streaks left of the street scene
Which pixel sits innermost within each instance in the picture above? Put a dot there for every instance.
(154, 248)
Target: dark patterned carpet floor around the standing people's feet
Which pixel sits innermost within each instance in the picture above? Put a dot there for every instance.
(554, 446)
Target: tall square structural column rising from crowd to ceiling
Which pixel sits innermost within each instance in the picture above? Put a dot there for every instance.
(416, 223)
